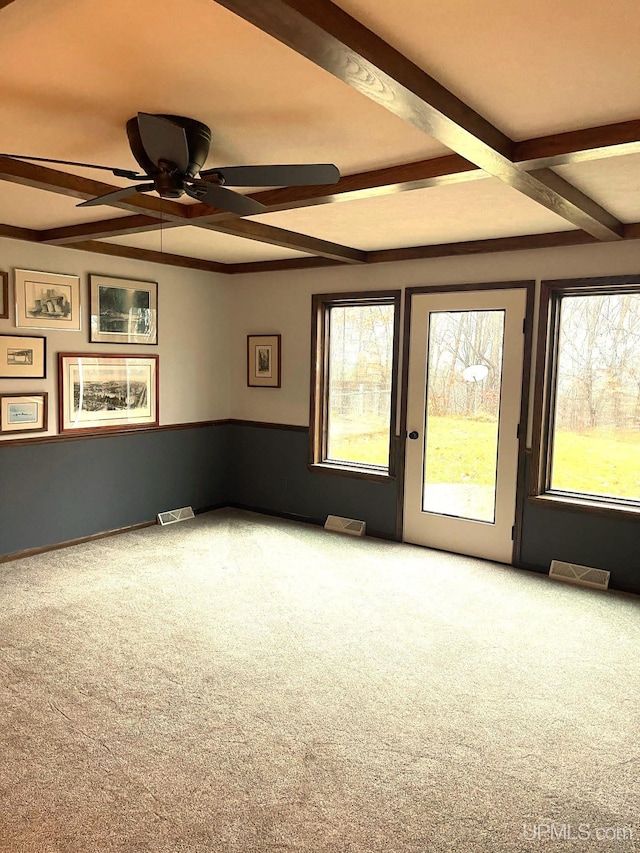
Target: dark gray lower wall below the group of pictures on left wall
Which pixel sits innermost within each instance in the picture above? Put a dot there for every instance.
(57, 491)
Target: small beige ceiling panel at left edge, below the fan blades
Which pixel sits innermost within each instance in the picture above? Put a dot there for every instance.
(26, 207)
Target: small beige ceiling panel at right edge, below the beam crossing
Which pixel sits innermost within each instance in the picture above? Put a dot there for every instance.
(613, 183)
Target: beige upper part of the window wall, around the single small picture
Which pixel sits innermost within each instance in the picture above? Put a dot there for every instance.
(281, 302)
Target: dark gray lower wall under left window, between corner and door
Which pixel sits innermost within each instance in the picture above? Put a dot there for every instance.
(270, 473)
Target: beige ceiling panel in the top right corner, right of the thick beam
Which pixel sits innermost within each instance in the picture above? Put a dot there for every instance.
(531, 68)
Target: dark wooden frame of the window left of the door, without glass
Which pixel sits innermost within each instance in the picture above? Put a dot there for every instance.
(321, 306)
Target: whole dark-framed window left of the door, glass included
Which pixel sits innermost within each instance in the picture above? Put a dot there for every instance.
(354, 372)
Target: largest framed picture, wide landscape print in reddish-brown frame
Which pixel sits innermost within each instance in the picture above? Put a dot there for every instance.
(107, 392)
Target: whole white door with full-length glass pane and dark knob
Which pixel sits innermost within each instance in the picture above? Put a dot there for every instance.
(464, 398)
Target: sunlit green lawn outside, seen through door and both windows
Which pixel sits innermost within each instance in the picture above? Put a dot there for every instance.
(462, 450)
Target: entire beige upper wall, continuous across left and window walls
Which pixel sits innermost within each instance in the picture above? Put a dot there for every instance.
(204, 319)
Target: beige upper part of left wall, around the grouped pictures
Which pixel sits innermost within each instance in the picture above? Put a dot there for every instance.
(193, 332)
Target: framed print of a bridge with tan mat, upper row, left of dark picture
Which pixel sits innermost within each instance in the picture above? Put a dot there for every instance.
(45, 300)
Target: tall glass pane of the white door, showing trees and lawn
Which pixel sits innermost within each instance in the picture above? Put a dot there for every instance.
(464, 376)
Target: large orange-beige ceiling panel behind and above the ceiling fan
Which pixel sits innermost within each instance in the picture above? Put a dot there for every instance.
(74, 71)
